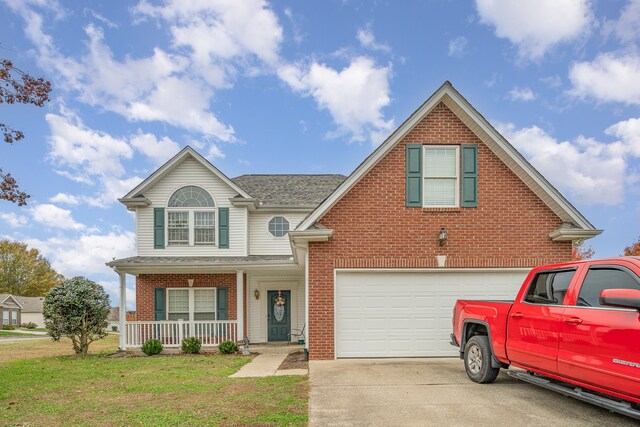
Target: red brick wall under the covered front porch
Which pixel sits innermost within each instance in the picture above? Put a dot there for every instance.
(146, 283)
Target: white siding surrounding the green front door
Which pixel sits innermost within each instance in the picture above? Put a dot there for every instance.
(256, 309)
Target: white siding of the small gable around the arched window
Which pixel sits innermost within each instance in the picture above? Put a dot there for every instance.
(191, 172)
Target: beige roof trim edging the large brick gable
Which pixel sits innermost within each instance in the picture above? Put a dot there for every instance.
(488, 135)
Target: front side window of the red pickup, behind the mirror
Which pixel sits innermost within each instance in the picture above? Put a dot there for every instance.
(599, 279)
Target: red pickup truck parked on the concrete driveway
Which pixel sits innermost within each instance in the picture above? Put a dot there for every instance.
(573, 328)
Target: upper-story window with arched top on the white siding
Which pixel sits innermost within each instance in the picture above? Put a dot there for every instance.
(191, 217)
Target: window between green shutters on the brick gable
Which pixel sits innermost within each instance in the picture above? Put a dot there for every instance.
(441, 176)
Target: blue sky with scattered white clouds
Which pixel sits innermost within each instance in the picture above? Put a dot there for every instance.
(305, 87)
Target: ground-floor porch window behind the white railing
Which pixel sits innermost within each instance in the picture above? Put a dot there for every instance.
(191, 304)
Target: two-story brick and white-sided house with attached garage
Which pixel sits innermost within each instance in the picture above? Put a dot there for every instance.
(370, 265)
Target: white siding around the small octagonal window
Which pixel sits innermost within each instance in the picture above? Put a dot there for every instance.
(261, 242)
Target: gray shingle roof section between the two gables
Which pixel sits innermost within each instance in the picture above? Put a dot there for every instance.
(289, 190)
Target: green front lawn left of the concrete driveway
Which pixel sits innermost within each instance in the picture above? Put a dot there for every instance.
(96, 390)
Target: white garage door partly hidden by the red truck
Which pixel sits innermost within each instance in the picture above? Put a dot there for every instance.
(408, 314)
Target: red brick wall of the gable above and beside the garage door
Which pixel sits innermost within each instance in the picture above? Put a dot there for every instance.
(373, 228)
